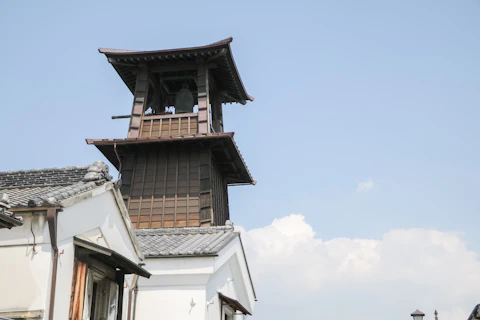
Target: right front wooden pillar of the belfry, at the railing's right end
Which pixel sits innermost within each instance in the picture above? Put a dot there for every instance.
(203, 97)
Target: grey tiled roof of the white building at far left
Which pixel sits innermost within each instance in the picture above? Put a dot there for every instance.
(47, 187)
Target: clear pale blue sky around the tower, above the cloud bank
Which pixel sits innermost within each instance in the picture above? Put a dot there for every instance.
(346, 92)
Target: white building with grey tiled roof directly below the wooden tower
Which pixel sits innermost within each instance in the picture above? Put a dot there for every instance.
(197, 273)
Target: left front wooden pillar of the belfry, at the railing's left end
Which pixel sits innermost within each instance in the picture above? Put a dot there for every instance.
(139, 102)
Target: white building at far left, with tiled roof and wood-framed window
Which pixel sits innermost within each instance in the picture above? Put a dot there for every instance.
(74, 221)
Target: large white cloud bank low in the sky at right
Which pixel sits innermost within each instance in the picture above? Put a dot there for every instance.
(299, 276)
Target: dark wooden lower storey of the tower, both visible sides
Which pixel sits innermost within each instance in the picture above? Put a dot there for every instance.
(174, 185)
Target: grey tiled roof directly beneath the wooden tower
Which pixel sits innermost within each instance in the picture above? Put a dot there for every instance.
(183, 242)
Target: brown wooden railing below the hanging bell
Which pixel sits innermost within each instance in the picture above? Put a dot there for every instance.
(169, 125)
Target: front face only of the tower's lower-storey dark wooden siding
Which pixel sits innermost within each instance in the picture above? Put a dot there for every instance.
(162, 186)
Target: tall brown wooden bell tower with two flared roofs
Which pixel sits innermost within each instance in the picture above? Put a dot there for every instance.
(177, 162)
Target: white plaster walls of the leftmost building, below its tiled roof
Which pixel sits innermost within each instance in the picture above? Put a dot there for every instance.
(28, 275)
